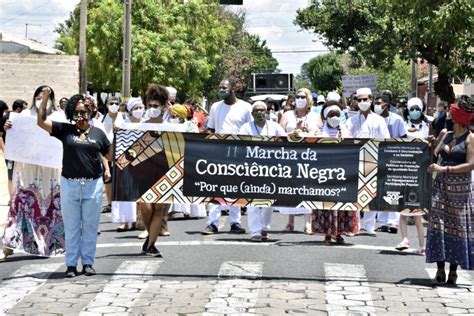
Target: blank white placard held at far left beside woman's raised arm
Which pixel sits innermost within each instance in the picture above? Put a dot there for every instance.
(27, 142)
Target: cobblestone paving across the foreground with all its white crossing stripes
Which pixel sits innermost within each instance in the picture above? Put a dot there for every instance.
(137, 287)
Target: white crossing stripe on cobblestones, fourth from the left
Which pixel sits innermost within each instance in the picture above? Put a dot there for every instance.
(347, 290)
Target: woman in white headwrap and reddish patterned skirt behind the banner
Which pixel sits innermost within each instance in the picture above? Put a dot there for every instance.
(333, 224)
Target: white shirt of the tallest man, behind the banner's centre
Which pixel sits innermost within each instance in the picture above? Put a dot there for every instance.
(228, 119)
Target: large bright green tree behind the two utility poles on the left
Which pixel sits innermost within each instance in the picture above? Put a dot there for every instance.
(173, 43)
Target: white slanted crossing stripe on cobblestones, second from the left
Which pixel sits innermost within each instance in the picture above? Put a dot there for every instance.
(131, 276)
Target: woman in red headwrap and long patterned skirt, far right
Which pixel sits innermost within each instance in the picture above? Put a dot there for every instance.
(450, 235)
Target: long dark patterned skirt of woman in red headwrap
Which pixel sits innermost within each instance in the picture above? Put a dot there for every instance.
(450, 235)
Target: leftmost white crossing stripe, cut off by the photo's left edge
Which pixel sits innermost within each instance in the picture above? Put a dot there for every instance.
(23, 282)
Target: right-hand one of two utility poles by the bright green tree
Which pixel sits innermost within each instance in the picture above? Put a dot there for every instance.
(127, 51)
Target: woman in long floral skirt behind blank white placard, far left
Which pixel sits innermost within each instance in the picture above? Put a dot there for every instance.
(35, 225)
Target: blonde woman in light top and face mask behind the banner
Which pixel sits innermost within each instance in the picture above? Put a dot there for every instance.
(299, 122)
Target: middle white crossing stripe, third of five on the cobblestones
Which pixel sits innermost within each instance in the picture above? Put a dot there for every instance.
(237, 289)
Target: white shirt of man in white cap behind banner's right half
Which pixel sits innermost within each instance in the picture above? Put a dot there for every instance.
(373, 126)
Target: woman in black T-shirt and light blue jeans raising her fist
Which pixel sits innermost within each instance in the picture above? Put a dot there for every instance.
(81, 179)
